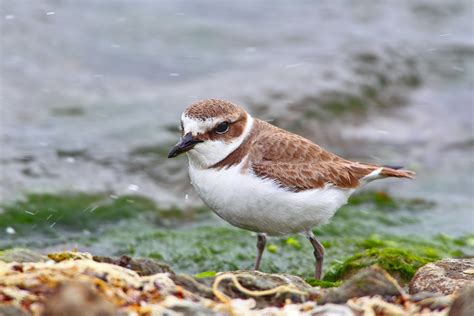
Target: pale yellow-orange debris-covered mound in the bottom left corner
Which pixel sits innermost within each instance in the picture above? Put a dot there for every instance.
(25, 285)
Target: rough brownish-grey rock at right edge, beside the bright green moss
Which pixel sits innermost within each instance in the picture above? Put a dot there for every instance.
(446, 276)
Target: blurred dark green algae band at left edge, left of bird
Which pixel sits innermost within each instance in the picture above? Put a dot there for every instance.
(48, 213)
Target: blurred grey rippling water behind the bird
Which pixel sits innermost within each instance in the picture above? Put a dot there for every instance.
(92, 92)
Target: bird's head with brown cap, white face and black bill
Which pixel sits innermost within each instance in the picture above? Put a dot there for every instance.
(211, 130)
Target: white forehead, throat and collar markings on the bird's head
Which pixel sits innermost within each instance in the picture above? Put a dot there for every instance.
(210, 152)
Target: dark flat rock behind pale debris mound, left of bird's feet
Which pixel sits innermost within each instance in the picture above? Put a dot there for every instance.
(142, 266)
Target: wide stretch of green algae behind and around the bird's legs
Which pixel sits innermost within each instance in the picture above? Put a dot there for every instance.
(136, 226)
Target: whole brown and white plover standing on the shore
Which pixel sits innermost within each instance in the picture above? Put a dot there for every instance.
(262, 178)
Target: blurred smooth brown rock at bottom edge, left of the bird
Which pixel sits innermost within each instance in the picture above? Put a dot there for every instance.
(77, 299)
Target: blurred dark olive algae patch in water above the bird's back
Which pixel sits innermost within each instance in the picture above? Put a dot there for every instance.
(382, 83)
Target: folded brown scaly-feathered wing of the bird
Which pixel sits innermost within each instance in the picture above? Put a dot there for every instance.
(299, 164)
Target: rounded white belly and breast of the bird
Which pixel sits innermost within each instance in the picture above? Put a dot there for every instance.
(260, 205)
